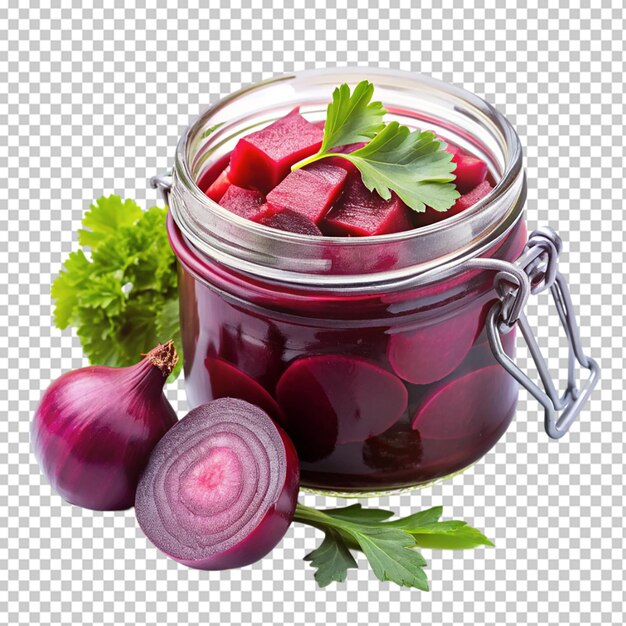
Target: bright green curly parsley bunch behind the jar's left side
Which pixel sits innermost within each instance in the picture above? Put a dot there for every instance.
(122, 299)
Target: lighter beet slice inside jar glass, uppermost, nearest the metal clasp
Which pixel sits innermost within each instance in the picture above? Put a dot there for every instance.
(429, 353)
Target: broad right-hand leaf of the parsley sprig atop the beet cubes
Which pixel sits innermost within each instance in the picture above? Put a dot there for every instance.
(412, 164)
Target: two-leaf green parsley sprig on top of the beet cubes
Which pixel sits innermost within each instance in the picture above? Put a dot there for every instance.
(413, 164)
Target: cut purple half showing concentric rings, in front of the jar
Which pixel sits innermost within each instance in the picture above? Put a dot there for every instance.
(220, 488)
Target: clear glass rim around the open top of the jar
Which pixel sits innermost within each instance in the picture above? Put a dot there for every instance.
(213, 231)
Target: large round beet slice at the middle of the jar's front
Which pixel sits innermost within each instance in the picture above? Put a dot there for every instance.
(335, 399)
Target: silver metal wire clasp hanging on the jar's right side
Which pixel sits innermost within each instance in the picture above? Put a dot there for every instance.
(534, 272)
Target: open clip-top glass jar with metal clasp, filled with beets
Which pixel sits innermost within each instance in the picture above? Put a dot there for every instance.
(388, 359)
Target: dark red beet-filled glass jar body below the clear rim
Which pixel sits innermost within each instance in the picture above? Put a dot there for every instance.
(379, 392)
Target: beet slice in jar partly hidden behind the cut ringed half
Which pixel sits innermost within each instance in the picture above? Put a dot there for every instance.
(226, 381)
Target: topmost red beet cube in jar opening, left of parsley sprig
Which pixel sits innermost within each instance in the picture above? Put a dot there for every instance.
(262, 159)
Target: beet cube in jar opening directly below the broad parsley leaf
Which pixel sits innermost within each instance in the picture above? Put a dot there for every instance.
(362, 213)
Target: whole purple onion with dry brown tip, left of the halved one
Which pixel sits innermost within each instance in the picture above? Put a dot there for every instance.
(95, 427)
